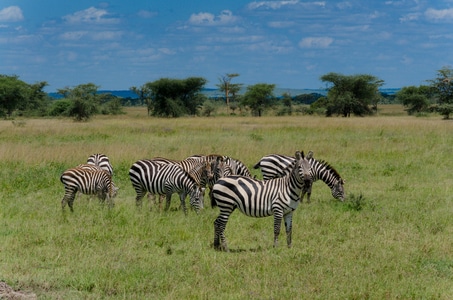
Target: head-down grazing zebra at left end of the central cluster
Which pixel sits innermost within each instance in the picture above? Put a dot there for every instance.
(164, 179)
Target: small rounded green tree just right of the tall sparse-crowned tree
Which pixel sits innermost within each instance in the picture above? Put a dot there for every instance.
(259, 97)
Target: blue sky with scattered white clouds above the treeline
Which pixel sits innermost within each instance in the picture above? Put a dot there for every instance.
(118, 44)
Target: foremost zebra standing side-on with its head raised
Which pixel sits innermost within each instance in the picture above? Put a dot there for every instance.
(260, 198)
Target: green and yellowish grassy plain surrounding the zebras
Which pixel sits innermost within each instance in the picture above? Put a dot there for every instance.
(391, 239)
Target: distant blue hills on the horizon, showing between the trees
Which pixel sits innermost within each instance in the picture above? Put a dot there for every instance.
(215, 93)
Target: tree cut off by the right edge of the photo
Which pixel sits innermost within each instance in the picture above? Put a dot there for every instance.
(443, 88)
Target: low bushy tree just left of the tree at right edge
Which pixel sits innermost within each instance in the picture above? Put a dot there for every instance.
(416, 99)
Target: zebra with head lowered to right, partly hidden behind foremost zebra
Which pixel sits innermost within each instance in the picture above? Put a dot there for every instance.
(276, 165)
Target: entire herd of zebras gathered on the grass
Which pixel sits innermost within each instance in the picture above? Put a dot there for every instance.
(231, 186)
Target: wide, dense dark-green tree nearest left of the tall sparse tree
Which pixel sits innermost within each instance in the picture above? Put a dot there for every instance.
(176, 97)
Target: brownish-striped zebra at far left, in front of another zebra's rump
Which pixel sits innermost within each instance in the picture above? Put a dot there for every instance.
(90, 182)
